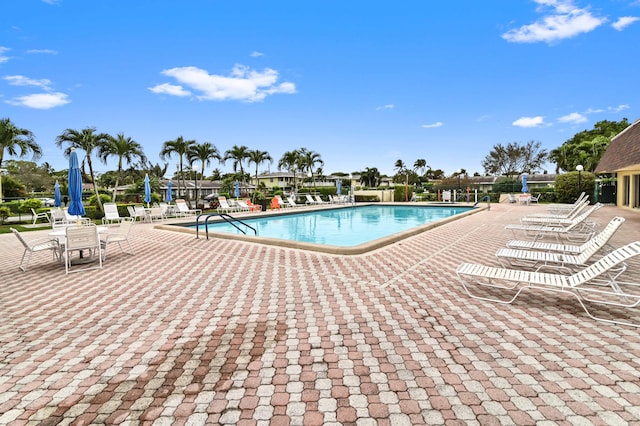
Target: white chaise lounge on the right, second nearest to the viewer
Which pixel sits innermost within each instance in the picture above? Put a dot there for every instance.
(566, 262)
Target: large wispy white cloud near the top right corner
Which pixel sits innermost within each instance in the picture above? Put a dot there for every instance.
(563, 21)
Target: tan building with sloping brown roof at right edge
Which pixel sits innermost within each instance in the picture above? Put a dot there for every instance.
(621, 161)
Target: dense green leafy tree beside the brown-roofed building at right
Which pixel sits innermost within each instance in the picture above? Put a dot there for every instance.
(586, 147)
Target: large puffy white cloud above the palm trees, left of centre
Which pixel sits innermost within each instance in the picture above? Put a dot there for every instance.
(243, 84)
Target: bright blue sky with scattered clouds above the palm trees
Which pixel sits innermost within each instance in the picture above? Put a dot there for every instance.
(363, 83)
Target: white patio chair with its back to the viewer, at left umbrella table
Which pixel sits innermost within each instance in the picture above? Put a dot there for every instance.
(81, 239)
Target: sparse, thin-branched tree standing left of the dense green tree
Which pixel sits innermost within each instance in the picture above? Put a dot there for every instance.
(515, 159)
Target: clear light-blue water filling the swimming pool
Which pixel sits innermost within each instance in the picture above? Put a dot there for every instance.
(345, 227)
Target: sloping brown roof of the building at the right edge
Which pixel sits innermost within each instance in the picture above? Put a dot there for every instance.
(623, 151)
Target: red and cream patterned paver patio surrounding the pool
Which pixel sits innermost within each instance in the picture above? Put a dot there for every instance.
(189, 331)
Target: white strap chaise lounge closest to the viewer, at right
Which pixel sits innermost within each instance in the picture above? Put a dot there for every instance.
(598, 284)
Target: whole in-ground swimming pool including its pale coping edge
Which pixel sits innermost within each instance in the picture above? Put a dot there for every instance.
(346, 230)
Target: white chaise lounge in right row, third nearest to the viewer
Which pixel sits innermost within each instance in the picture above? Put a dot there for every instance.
(578, 230)
